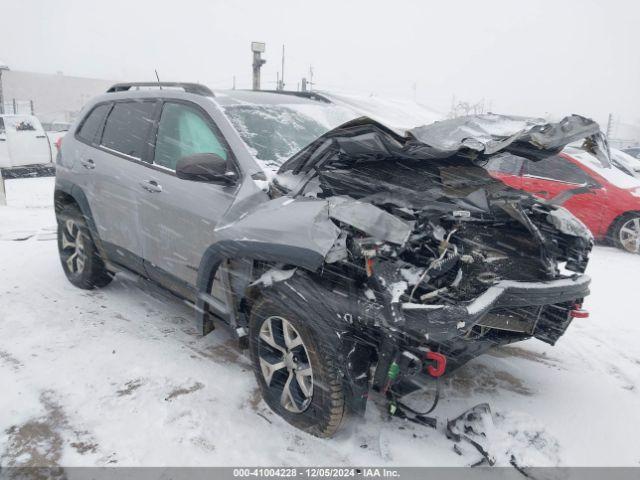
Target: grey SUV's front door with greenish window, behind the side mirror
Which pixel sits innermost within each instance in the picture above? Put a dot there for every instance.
(179, 216)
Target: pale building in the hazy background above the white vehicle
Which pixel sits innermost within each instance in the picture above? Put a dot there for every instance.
(51, 97)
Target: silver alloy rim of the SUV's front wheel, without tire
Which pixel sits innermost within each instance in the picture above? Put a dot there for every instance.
(285, 364)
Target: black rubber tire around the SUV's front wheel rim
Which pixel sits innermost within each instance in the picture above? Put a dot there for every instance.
(326, 409)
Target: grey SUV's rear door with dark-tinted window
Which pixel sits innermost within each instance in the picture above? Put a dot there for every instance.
(117, 167)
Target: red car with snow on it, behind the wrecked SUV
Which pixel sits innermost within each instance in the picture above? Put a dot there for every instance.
(606, 199)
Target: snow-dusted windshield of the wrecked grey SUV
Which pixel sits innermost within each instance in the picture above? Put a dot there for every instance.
(276, 132)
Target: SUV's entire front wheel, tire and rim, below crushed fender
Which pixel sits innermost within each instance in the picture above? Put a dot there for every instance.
(294, 363)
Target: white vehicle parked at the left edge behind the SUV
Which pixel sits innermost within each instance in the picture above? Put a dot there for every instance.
(23, 142)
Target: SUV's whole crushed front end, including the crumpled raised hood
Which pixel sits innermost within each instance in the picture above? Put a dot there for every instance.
(447, 261)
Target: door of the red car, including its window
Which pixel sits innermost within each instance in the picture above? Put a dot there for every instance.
(558, 178)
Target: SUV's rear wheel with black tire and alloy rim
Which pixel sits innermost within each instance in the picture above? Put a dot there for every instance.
(79, 256)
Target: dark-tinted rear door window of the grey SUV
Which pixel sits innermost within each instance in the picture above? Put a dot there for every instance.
(127, 127)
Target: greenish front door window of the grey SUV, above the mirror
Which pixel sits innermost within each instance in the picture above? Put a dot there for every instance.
(184, 131)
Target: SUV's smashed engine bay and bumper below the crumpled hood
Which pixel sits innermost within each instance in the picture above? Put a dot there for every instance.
(458, 273)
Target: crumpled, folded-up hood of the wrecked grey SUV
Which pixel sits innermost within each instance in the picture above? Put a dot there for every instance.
(474, 136)
